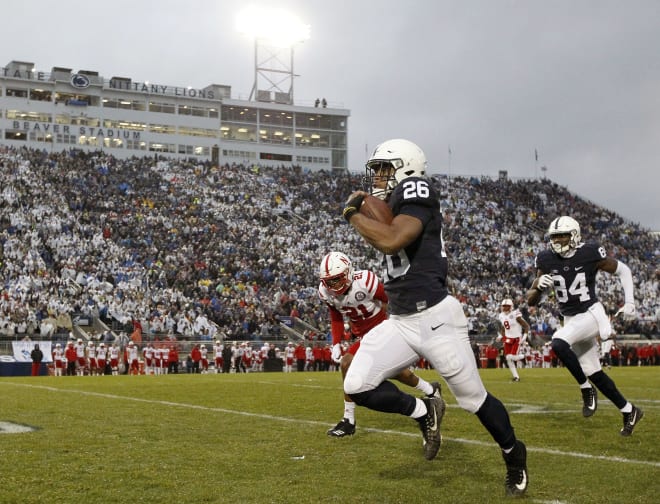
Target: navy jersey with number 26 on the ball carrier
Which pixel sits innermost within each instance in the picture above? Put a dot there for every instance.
(416, 277)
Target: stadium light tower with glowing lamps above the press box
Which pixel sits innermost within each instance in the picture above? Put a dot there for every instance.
(275, 33)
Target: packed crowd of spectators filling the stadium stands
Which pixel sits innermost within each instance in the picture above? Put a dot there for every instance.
(193, 251)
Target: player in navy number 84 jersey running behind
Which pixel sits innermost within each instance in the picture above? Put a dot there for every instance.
(570, 267)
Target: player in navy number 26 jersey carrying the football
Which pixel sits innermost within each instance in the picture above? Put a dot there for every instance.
(424, 320)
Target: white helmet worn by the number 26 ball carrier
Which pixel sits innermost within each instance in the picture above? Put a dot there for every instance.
(396, 160)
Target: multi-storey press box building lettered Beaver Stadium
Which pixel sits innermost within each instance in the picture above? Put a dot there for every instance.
(63, 109)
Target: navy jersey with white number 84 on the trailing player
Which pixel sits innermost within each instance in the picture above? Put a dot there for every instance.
(574, 277)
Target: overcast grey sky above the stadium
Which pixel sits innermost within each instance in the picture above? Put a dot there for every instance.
(494, 80)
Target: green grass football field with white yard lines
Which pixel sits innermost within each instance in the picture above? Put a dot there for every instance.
(261, 437)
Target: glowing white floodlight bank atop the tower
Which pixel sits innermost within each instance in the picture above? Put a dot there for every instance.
(275, 26)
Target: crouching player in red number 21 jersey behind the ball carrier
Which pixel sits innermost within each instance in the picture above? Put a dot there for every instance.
(360, 297)
